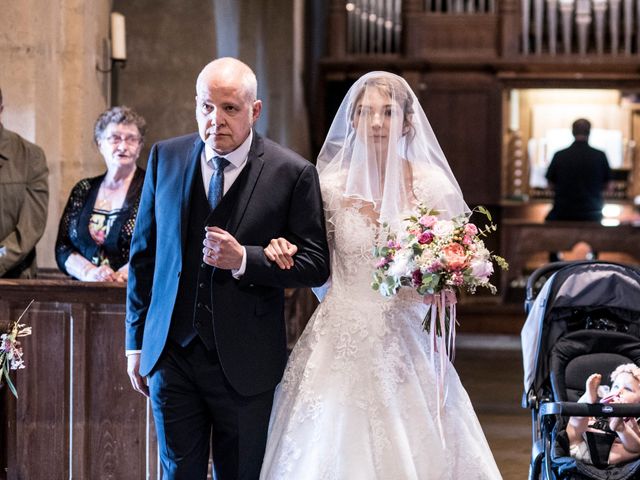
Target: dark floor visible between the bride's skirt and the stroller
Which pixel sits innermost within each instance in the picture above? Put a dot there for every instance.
(491, 371)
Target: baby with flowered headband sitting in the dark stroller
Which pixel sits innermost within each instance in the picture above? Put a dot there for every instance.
(602, 441)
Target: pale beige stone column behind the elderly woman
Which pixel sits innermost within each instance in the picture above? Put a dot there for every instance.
(53, 92)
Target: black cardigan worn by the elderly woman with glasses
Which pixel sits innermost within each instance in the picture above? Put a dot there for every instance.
(73, 232)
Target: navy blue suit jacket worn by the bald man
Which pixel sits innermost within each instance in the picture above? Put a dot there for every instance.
(281, 198)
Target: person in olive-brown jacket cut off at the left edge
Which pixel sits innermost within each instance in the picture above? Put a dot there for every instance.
(24, 197)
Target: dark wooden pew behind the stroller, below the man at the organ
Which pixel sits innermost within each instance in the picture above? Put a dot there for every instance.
(521, 239)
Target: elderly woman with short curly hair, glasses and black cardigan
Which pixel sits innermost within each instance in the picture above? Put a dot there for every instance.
(97, 224)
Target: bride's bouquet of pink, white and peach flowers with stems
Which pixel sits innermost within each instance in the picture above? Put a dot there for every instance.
(438, 258)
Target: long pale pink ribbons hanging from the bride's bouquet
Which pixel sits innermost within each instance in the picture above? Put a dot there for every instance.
(443, 344)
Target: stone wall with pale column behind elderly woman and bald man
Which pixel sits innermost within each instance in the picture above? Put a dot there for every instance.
(51, 52)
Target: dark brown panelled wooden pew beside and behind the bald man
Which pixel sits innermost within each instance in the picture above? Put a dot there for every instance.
(77, 414)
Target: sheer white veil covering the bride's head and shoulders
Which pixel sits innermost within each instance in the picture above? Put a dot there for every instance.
(381, 149)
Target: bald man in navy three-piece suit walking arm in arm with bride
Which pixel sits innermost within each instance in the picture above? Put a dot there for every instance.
(204, 320)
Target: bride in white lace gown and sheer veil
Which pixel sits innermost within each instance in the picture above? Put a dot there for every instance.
(358, 399)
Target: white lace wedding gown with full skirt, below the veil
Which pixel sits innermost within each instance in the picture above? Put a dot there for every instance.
(358, 398)
